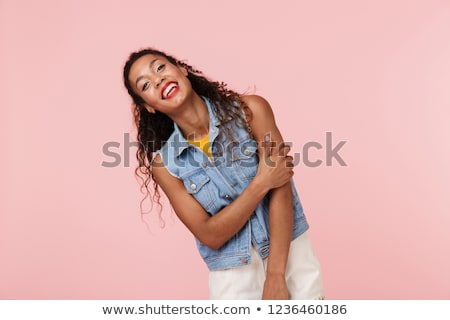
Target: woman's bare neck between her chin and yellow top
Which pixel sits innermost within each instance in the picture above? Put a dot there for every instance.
(193, 119)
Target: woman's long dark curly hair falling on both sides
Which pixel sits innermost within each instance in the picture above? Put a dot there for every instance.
(153, 129)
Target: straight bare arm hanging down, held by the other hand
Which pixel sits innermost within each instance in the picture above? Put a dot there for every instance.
(280, 207)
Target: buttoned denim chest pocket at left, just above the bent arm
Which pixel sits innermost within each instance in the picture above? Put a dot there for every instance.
(198, 184)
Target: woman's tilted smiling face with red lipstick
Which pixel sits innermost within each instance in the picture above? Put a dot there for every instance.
(162, 85)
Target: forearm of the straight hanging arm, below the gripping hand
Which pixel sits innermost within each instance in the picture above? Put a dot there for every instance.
(280, 229)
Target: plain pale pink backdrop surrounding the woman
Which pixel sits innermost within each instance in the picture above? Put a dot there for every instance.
(375, 73)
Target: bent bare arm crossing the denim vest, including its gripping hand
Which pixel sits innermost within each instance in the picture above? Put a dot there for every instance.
(214, 231)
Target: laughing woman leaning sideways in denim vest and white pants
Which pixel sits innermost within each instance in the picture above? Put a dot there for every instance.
(198, 143)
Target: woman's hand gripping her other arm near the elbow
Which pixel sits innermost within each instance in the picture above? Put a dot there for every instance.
(275, 166)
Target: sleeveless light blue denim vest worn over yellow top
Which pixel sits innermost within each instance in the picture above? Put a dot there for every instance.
(216, 183)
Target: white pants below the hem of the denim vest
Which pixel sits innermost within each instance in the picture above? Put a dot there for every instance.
(303, 276)
